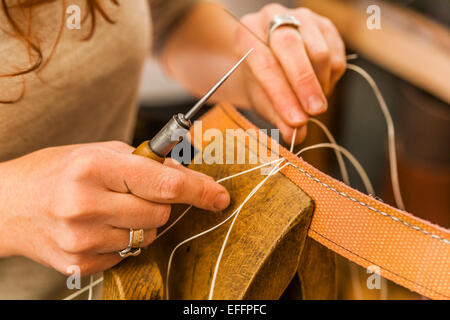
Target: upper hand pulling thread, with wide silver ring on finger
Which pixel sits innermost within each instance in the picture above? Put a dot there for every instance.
(289, 79)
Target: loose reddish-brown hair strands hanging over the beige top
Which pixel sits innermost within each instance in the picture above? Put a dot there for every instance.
(24, 33)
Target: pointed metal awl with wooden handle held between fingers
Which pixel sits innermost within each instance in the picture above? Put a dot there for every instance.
(179, 125)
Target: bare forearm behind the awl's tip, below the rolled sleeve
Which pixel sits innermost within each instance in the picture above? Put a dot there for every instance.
(201, 49)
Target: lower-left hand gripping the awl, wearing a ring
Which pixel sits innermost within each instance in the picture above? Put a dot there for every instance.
(74, 205)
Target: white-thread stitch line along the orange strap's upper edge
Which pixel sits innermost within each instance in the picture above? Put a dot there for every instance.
(416, 228)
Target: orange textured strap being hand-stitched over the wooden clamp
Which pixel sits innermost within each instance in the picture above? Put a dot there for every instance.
(409, 251)
